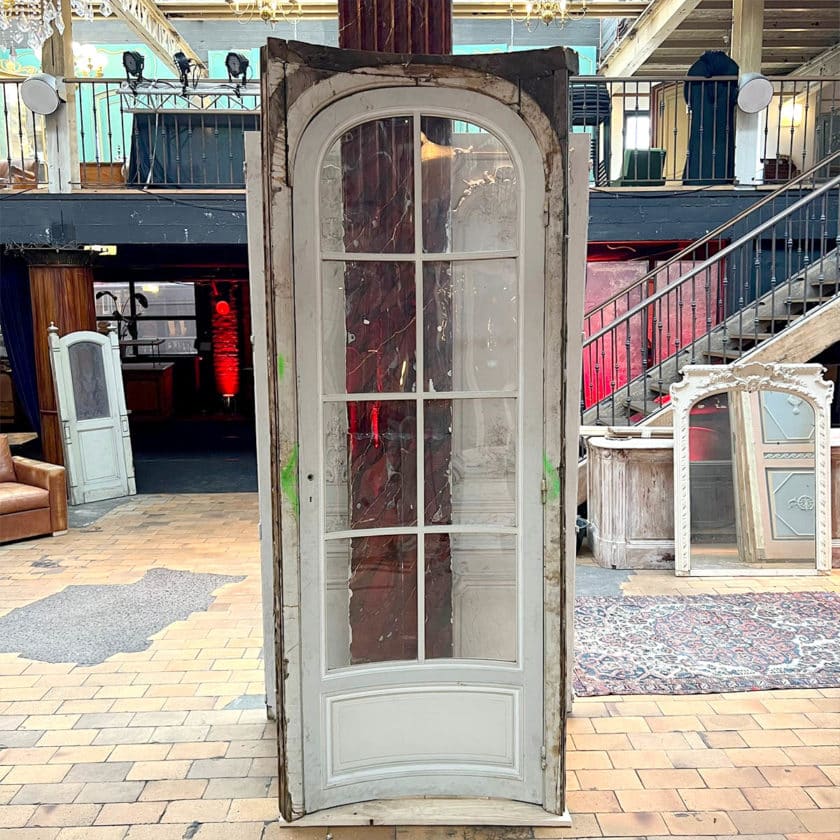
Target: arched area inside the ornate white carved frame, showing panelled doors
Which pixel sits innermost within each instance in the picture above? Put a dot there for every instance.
(752, 482)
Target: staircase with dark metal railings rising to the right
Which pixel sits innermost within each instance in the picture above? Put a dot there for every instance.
(764, 285)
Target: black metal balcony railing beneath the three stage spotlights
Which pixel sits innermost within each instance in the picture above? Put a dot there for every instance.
(155, 136)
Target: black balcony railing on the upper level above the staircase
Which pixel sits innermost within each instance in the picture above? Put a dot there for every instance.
(670, 132)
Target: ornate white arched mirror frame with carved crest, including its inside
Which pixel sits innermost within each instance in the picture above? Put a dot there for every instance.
(751, 470)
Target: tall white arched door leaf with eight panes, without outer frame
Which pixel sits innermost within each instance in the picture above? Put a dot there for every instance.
(418, 264)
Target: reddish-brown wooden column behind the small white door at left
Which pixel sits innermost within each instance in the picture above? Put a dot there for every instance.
(61, 286)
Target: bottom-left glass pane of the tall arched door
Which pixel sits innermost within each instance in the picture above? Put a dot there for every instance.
(371, 592)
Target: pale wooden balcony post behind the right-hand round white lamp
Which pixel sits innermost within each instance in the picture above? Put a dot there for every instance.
(747, 38)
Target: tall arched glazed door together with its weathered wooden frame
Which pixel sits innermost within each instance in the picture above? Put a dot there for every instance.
(423, 343)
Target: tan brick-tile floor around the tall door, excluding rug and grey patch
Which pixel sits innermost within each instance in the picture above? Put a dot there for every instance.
(164, 744)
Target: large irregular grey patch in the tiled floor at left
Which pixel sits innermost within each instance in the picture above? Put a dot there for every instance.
(87, 624)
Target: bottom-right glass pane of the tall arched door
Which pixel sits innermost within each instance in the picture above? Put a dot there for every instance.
(470, 590)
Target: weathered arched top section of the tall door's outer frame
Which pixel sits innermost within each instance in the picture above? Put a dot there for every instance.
(530, 87)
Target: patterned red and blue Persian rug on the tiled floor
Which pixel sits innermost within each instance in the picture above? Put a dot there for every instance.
(706, 644)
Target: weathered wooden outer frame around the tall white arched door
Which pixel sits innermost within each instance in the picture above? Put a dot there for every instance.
(298, 82)
